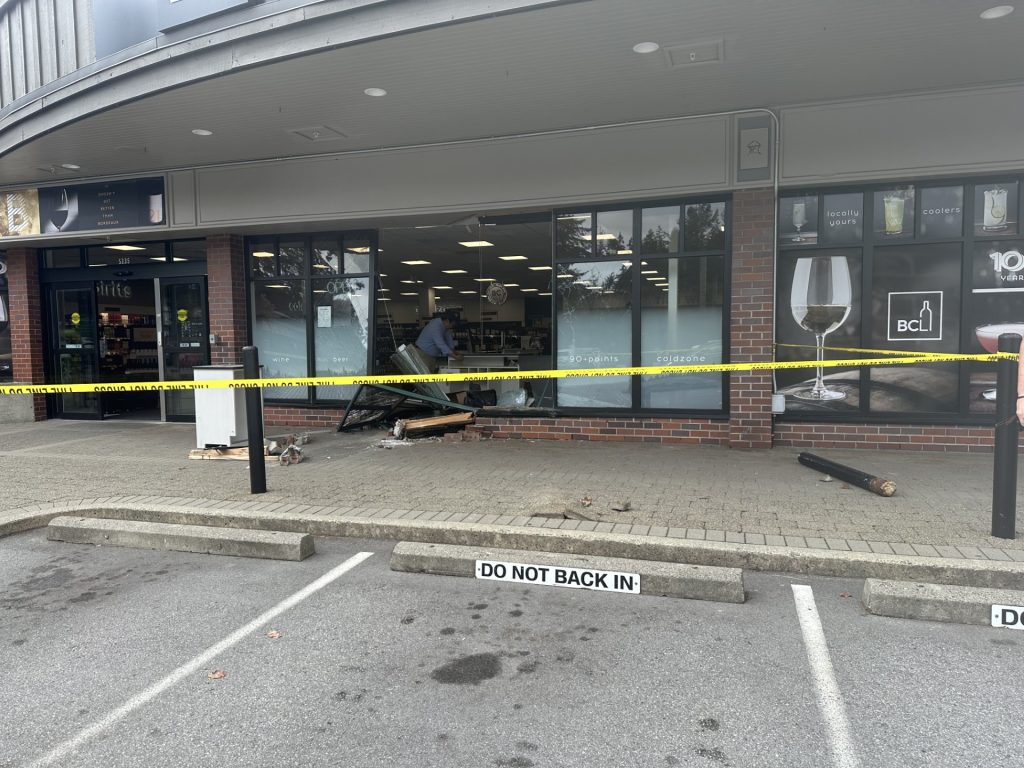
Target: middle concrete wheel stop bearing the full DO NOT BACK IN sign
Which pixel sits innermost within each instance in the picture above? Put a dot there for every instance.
(667, 580)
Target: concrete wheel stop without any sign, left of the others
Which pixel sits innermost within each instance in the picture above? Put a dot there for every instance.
(271, 545)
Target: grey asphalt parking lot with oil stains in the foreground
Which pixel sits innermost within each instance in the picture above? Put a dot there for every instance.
(107, 656)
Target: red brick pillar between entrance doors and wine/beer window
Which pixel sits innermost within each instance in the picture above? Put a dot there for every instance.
(227, 293)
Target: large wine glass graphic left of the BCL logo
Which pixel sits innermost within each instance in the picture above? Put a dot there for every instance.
(822, 297)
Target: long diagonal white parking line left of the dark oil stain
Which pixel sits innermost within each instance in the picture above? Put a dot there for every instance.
(196, 664)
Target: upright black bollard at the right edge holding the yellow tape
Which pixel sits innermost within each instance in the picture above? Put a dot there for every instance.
(1007, 429)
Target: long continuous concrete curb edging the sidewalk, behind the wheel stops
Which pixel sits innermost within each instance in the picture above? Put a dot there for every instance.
(989, 574)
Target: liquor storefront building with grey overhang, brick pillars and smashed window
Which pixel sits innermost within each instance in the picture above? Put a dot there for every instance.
(885, 217)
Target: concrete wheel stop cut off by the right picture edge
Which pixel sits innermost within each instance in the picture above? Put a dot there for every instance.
(934, 603)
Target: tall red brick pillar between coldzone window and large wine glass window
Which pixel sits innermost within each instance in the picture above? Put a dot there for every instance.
(752, 309)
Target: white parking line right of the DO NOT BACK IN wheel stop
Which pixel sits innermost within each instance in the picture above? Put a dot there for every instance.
(830, 700)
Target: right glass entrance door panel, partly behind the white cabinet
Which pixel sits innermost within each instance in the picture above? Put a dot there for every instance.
(185, 340)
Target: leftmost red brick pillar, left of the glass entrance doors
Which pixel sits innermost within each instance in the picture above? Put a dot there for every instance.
(27, 323)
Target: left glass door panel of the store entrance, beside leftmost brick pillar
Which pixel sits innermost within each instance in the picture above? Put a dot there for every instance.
(74, 348)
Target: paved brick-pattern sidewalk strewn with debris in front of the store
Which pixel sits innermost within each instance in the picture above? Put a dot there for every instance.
(942, 509)
